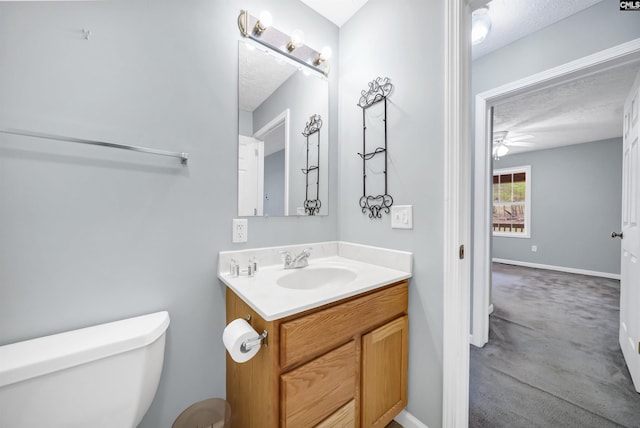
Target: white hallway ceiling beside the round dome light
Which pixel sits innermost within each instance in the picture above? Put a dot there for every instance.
(514, 19)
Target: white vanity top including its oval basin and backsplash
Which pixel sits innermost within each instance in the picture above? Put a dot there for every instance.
(275, 293)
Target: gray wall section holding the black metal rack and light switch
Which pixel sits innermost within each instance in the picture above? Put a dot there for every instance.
(402, 40)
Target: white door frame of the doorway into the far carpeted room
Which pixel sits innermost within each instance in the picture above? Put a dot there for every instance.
(481, 268)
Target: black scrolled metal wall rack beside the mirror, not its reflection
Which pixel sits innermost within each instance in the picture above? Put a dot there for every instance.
(378, 91)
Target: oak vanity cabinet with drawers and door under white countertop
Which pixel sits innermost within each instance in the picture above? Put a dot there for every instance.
(343, 364)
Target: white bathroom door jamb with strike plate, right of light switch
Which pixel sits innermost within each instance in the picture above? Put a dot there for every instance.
(457, 212)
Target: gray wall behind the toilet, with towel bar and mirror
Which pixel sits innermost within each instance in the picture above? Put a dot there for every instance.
(91, 234)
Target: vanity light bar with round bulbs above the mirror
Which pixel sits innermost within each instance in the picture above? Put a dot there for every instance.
(292, 47)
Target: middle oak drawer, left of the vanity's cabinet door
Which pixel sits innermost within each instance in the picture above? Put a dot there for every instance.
(312, 392)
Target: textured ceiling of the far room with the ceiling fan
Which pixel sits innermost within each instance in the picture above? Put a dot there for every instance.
(584, 109)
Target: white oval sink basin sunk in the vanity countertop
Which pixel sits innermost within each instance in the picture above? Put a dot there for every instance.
(313, 277)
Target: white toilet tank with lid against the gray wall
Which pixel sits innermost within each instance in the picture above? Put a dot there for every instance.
(102, 376)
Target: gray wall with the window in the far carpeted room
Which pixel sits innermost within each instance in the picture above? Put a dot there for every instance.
(576, 195)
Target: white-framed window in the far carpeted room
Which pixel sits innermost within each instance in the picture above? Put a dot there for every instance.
(512, 202)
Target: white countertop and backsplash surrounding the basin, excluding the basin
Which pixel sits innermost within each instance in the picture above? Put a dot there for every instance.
(273, 301)
